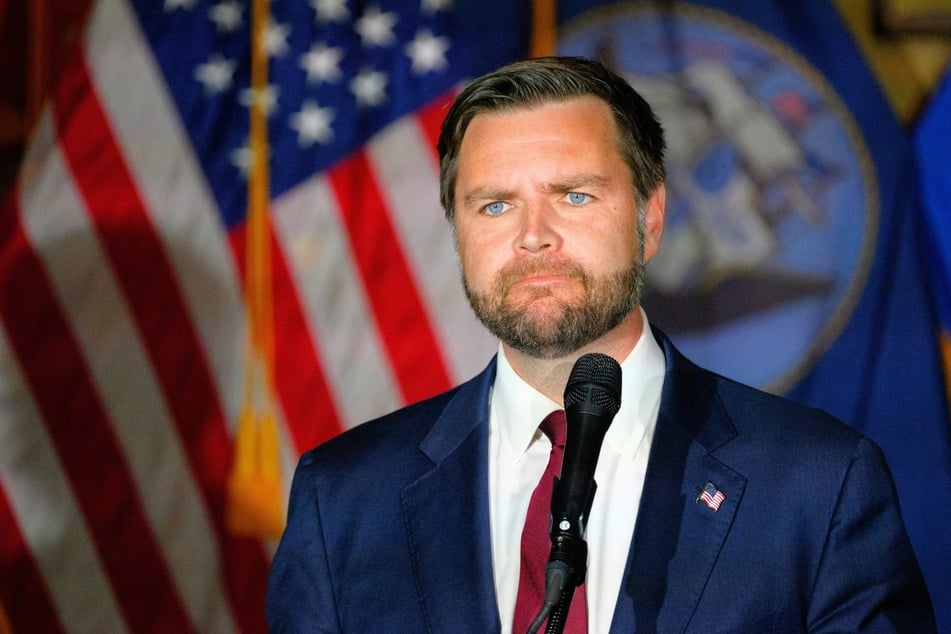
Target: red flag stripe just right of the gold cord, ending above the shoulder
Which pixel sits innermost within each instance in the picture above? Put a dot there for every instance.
(308, 405)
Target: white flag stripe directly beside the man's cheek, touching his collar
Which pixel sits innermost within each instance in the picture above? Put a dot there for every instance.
(409, 180)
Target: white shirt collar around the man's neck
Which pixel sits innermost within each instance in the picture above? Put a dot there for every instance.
(518, 408)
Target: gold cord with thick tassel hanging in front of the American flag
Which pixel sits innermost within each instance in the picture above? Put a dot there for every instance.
(255, 491)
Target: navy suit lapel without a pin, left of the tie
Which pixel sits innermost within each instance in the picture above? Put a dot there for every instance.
(446, 515)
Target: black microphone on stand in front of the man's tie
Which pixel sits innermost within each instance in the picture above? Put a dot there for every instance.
(592, 398)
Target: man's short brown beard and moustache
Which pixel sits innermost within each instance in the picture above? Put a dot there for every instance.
(558, 330)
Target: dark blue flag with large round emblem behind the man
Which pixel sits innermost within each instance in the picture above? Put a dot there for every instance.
(792, 253)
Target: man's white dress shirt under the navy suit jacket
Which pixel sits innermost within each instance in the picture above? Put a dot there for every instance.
(518, 455)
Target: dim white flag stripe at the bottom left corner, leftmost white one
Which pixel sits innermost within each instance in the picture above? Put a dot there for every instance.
(53, 527)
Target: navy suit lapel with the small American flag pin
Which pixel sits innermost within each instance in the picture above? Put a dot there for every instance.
(677, 537)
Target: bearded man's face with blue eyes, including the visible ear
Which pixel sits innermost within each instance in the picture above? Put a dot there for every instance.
(546, 226)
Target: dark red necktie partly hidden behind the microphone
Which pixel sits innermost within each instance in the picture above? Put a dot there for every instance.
(536, 542)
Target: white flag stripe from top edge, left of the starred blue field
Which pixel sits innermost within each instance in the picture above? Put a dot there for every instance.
(174, 191)
